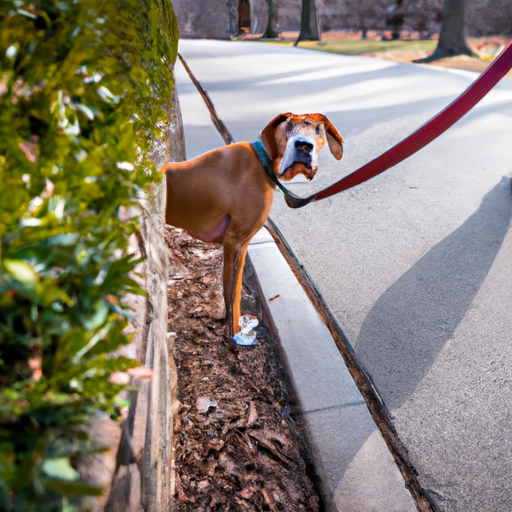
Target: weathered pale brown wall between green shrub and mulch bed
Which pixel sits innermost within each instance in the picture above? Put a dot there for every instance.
(137, 471)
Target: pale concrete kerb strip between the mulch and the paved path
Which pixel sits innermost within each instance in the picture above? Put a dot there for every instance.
(357, 471)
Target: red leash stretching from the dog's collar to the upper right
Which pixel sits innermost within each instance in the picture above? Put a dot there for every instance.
(423, 135)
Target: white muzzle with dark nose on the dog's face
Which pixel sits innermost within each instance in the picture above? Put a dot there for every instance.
(301, 156)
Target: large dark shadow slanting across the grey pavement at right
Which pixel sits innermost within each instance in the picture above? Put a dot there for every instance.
(411, 322)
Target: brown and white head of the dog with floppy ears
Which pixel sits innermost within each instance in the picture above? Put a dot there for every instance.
(293, 142)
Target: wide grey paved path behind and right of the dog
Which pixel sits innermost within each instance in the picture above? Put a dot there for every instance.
(416, 263)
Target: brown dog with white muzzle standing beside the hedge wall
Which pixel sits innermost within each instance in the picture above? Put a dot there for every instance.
(224, 196)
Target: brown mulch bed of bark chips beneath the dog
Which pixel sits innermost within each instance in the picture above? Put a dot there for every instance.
(237, 446)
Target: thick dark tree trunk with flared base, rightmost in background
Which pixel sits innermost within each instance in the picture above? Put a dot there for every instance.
(451, 39)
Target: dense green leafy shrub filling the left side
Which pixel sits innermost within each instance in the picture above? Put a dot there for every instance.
(81, 88)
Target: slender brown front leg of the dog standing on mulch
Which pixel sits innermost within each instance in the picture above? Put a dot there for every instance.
(234, 260)
